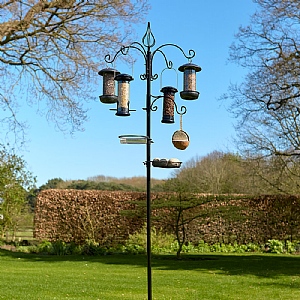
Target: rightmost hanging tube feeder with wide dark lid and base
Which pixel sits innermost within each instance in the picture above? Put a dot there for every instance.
(189, 81)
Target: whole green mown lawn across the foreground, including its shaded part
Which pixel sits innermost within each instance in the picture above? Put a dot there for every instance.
(241, 276)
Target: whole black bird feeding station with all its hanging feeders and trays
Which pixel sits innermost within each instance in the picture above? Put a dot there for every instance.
(145, 48)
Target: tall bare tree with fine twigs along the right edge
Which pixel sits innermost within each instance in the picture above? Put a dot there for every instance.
(267, 102)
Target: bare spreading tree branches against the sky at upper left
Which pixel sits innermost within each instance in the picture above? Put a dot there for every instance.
(51, 50)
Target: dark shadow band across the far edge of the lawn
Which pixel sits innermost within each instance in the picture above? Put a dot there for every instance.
(260, 265)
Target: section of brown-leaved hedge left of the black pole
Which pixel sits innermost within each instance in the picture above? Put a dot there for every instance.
(76, 215)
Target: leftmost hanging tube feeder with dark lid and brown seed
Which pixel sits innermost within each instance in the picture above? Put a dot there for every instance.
(108, 85)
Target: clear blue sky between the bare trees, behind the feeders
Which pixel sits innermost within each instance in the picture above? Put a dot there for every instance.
(207, 27)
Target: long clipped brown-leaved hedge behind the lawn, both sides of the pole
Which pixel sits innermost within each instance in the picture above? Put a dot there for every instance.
(75, 215)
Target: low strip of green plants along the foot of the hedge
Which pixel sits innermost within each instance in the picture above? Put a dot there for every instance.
(161, 244)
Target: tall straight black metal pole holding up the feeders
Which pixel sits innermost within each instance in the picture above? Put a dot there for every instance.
(148, 165)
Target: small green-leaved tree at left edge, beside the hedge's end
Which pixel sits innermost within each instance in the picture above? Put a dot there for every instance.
(15, 184)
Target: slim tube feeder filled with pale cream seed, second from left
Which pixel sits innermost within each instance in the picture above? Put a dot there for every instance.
(123, 94)
